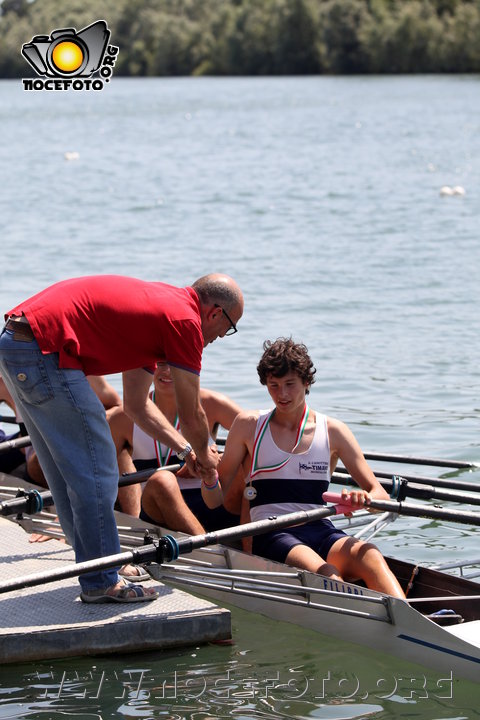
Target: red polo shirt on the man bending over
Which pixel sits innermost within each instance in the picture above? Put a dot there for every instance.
(110, 323)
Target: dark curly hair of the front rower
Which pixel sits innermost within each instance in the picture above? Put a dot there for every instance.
(283, 356)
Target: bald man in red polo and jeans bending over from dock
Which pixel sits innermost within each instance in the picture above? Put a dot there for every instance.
(97, 326)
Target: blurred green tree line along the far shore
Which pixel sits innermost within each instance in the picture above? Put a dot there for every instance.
(259, 37)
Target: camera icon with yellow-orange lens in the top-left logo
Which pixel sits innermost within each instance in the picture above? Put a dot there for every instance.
(66, 53)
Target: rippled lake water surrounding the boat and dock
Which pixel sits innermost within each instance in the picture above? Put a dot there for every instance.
(321, 196)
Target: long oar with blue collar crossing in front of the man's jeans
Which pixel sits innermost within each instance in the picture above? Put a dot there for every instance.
(167, 548)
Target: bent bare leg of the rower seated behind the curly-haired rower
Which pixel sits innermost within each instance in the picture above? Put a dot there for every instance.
(162, 500)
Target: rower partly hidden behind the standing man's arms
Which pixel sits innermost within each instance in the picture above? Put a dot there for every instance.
(179, 501)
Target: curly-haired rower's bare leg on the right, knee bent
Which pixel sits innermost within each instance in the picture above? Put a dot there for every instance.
(357, 559)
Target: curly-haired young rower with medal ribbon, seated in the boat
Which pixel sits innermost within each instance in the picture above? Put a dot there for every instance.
(292, 451)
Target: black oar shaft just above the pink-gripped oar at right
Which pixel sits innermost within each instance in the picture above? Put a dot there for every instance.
(420, 487)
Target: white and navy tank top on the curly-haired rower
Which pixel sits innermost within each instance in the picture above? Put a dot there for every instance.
(288, 482)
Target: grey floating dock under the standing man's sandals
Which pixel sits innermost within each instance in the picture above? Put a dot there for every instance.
(50, 621)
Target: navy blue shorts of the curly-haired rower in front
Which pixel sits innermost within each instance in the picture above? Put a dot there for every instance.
(320, 536)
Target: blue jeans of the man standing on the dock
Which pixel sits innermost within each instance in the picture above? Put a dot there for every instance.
(70, 434)
